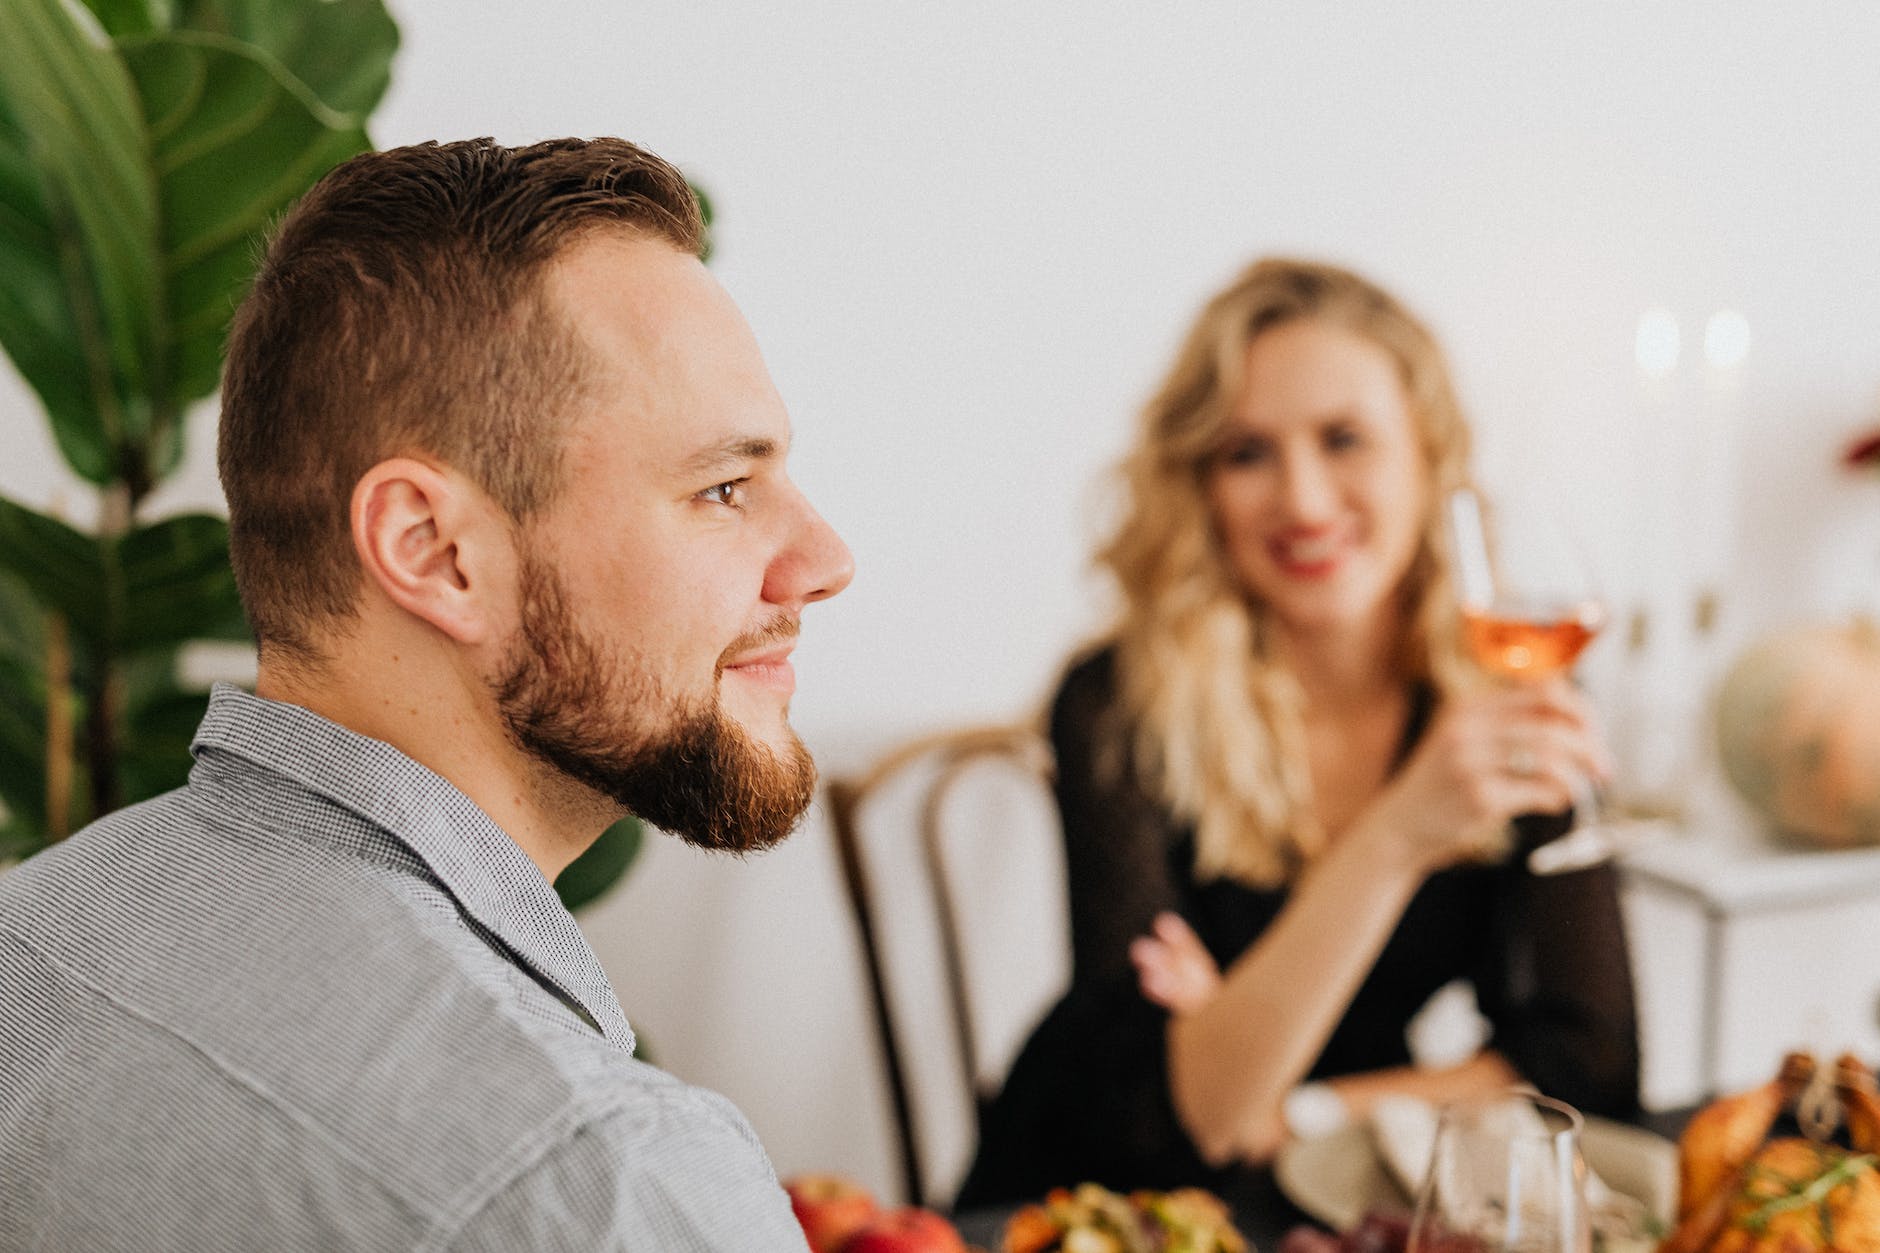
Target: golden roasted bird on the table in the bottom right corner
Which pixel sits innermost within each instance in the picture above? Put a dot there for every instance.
(1746, 1194)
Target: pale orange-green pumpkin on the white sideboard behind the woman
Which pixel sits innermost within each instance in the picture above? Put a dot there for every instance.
(1798, 733)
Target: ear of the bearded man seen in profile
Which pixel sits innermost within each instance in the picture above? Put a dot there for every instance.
(435, 545)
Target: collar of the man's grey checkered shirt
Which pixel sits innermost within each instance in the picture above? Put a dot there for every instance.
(484, 870)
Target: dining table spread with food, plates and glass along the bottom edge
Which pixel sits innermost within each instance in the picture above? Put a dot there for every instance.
(1791, 1166)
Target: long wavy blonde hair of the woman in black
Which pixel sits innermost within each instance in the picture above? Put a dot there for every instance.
(1217, 720)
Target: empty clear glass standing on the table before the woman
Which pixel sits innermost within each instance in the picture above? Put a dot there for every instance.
(1505, 1177)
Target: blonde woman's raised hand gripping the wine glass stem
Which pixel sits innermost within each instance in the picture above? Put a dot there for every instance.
(1488, 757)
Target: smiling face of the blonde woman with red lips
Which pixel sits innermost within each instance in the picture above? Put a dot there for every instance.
(1317, 486)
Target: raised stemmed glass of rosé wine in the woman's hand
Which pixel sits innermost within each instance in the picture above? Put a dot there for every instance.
(1529, 611)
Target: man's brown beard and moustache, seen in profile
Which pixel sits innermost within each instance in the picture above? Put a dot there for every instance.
(689, 770)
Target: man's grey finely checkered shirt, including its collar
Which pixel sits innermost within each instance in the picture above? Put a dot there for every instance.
(317, 1000)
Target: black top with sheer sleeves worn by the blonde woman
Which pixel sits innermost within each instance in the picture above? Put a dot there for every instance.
(1089, 1096)
